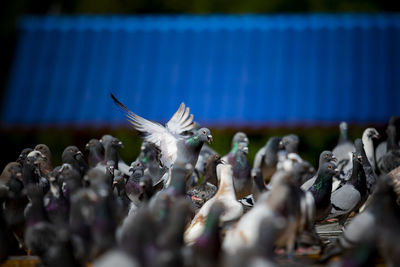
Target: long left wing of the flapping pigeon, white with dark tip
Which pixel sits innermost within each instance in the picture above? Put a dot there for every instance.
(153, 132)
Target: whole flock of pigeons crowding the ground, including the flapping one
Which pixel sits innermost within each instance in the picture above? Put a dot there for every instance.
(181, 204)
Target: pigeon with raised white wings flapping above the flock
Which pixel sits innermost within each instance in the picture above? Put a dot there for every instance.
(174, 146)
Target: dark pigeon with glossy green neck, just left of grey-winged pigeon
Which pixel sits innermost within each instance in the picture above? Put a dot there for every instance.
(321, 190)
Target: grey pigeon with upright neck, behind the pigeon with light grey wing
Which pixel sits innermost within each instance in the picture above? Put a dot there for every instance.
(343, 150)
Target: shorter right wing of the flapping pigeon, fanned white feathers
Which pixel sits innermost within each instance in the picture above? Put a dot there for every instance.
(181, 121)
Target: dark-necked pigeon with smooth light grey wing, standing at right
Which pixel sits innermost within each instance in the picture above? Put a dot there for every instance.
(352, 195)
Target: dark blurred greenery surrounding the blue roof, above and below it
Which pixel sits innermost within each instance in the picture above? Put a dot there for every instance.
(314, 136)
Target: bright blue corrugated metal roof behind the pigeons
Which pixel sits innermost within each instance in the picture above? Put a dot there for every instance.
(230, 70)
